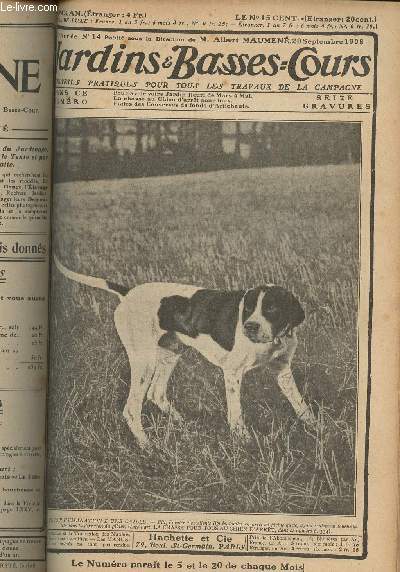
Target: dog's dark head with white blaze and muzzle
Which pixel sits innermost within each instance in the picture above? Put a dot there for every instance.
(270, 312)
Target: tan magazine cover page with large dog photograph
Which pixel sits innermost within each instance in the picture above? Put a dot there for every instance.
(224, 348)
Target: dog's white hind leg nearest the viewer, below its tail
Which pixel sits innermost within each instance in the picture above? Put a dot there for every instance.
(141, 350)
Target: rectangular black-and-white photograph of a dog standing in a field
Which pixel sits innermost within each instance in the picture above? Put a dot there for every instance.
(204, 316)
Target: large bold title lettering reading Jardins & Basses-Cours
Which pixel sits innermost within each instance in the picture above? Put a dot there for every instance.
(186, 61)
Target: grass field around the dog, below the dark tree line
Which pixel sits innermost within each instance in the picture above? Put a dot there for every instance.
(297, 227)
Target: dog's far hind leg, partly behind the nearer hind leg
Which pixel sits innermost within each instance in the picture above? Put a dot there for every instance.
(165, 363)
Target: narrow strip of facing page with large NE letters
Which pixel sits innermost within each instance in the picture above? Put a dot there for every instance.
(27, 39)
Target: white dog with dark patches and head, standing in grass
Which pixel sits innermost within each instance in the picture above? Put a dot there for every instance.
(236, 331)
